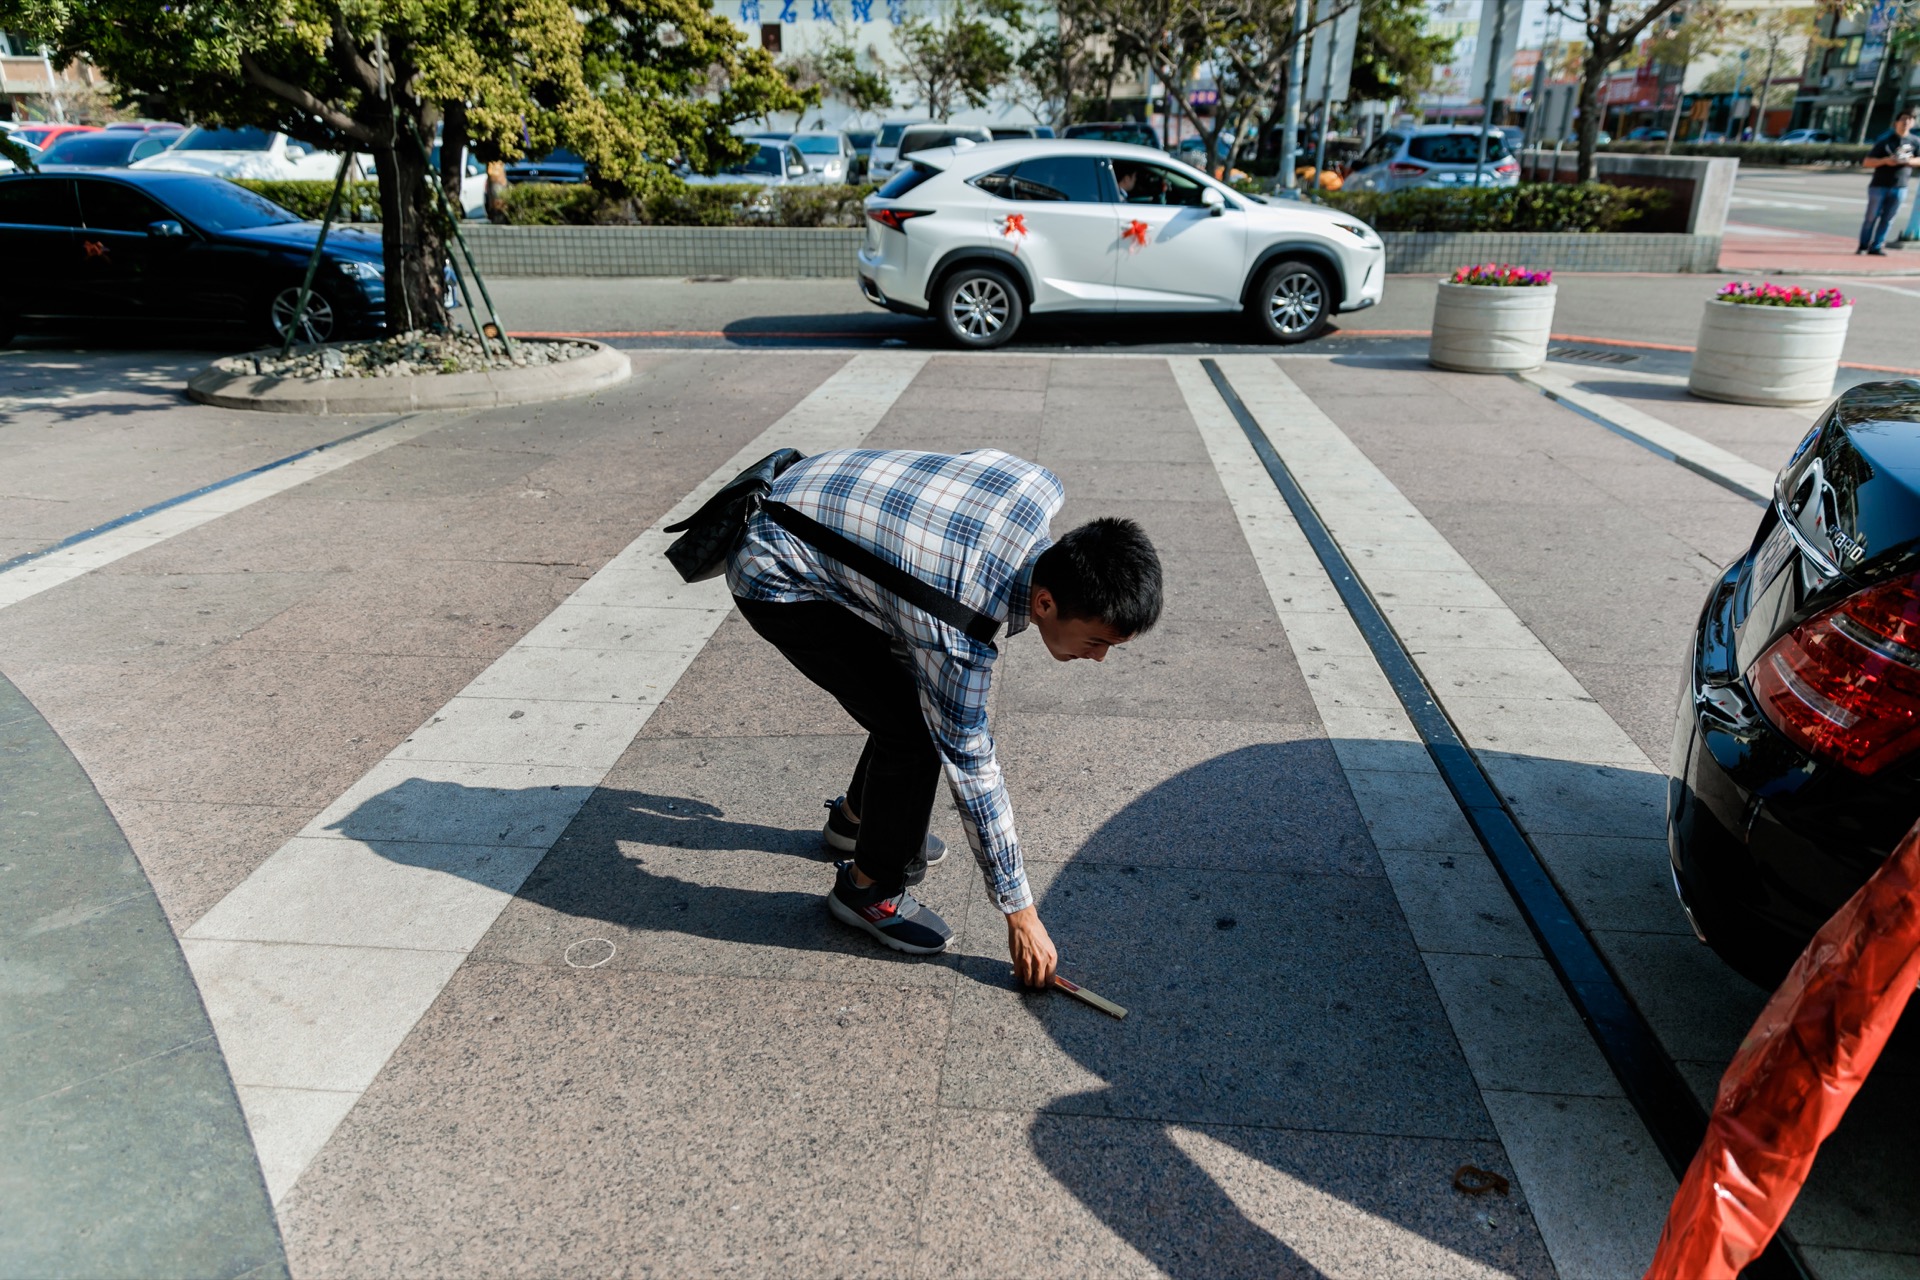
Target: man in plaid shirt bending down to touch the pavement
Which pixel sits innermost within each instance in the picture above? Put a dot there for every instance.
(911, 655)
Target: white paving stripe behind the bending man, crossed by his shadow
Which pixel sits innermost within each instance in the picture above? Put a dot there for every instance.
(320, 964)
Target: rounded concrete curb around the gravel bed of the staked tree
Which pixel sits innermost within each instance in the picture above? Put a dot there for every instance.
(602, 369)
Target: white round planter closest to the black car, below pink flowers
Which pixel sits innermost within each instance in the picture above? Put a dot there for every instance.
(1767, 356)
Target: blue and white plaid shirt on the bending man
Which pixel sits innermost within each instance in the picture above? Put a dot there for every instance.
(971, 525)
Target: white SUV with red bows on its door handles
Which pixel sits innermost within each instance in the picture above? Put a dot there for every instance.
(980, 237)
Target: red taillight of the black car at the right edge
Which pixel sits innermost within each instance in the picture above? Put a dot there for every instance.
(1846, 684)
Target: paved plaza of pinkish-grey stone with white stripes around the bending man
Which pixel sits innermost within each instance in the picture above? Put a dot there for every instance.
(433, 882)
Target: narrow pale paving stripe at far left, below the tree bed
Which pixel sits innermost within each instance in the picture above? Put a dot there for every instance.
(39, 571)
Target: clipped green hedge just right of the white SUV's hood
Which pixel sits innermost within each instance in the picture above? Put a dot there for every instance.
(1529, 206)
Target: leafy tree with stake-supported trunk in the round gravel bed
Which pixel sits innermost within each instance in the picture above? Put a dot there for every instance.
(606, 78)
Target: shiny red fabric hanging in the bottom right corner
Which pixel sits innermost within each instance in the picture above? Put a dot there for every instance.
(1794, 1076)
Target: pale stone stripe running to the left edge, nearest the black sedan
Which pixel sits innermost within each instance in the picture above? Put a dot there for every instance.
(118, 544)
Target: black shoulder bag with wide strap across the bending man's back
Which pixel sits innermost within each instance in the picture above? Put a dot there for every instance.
(711, 534)
